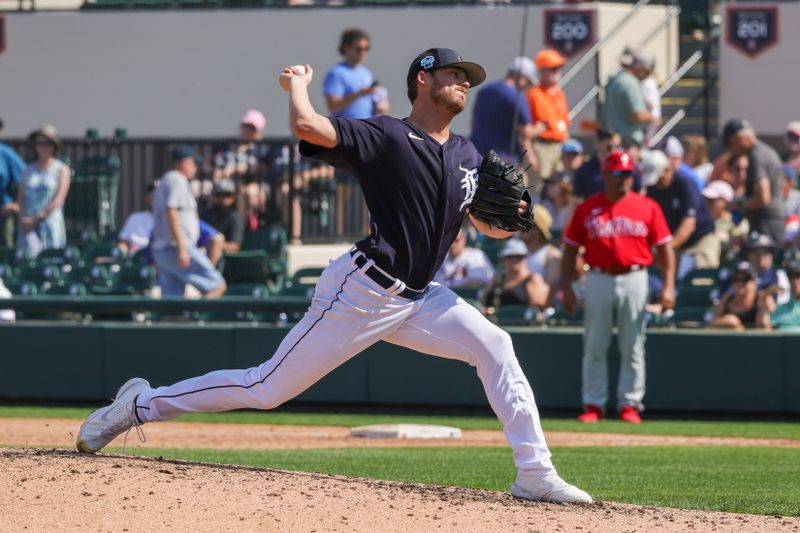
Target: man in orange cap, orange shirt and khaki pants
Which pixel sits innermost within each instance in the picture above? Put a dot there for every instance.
(549, 113)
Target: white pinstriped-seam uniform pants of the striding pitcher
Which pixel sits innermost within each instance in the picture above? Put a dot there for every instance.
(349, 313)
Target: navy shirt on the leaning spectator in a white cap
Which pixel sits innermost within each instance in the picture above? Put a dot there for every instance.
(680, 200)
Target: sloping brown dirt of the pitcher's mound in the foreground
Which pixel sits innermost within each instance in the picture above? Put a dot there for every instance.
(43, 490)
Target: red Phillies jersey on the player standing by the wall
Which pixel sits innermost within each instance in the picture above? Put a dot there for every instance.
(618, 234)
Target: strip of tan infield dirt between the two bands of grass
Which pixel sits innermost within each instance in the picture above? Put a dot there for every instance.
(61, 433)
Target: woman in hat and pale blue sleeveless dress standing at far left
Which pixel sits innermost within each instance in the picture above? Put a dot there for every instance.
(42, 191)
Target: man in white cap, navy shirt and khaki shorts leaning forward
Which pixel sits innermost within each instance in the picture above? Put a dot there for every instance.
(689, 221)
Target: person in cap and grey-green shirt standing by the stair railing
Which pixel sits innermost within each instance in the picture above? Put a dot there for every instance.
(624, 109)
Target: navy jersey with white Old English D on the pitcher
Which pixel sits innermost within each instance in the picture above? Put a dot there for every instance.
(417, 190)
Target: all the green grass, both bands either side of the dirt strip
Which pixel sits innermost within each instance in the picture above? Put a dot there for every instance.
(734, 479)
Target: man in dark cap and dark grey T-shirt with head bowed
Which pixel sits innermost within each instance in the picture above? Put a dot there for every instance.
(762, 202)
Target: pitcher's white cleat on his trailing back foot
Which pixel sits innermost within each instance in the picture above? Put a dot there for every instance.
(105, 424)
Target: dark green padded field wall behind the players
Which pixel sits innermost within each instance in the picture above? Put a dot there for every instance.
(700, 371)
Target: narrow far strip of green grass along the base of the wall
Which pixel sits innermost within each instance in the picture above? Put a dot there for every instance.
(772, 430)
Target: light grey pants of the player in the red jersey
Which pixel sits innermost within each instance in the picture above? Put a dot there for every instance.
(608, 298)
